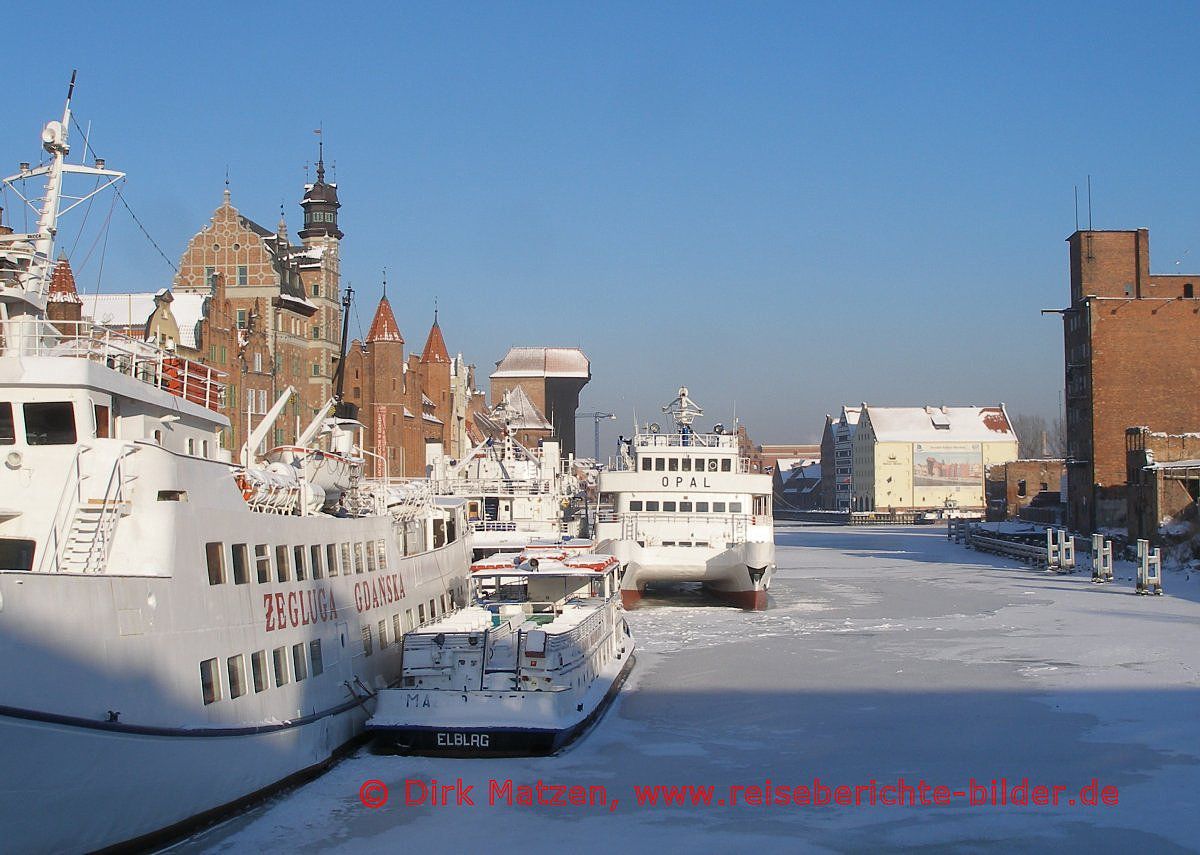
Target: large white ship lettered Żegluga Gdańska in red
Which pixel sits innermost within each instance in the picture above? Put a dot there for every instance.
(178, 632)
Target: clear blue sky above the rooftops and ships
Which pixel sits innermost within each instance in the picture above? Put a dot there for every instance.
(787, 207)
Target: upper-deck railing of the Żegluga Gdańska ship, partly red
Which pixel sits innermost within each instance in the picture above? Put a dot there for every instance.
(142, 361)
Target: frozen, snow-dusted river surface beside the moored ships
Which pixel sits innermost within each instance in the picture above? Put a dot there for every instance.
(886, 654)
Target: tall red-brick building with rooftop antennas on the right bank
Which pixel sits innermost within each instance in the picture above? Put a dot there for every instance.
(1132, 349)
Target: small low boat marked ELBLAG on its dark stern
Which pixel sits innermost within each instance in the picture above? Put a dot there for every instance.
(525, 671)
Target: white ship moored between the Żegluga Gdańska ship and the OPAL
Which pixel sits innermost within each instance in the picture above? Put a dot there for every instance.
(515, 495)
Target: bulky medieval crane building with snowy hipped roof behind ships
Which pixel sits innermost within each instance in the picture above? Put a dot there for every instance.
(553, 379)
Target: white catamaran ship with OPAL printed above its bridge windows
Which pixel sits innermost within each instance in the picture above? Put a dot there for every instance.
(683, 507)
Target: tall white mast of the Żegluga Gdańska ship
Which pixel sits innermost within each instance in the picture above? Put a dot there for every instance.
(26, 297)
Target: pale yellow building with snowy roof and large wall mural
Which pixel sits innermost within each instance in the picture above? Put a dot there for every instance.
(925, 458)
